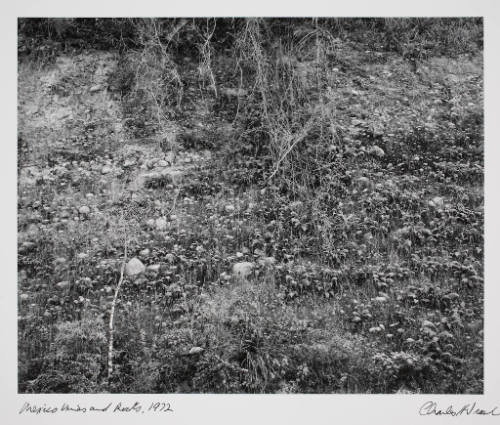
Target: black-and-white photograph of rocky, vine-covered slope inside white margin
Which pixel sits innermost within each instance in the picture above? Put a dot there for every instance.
(250, 205)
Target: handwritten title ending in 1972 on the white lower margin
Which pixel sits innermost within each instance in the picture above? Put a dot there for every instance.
(120, 407)
